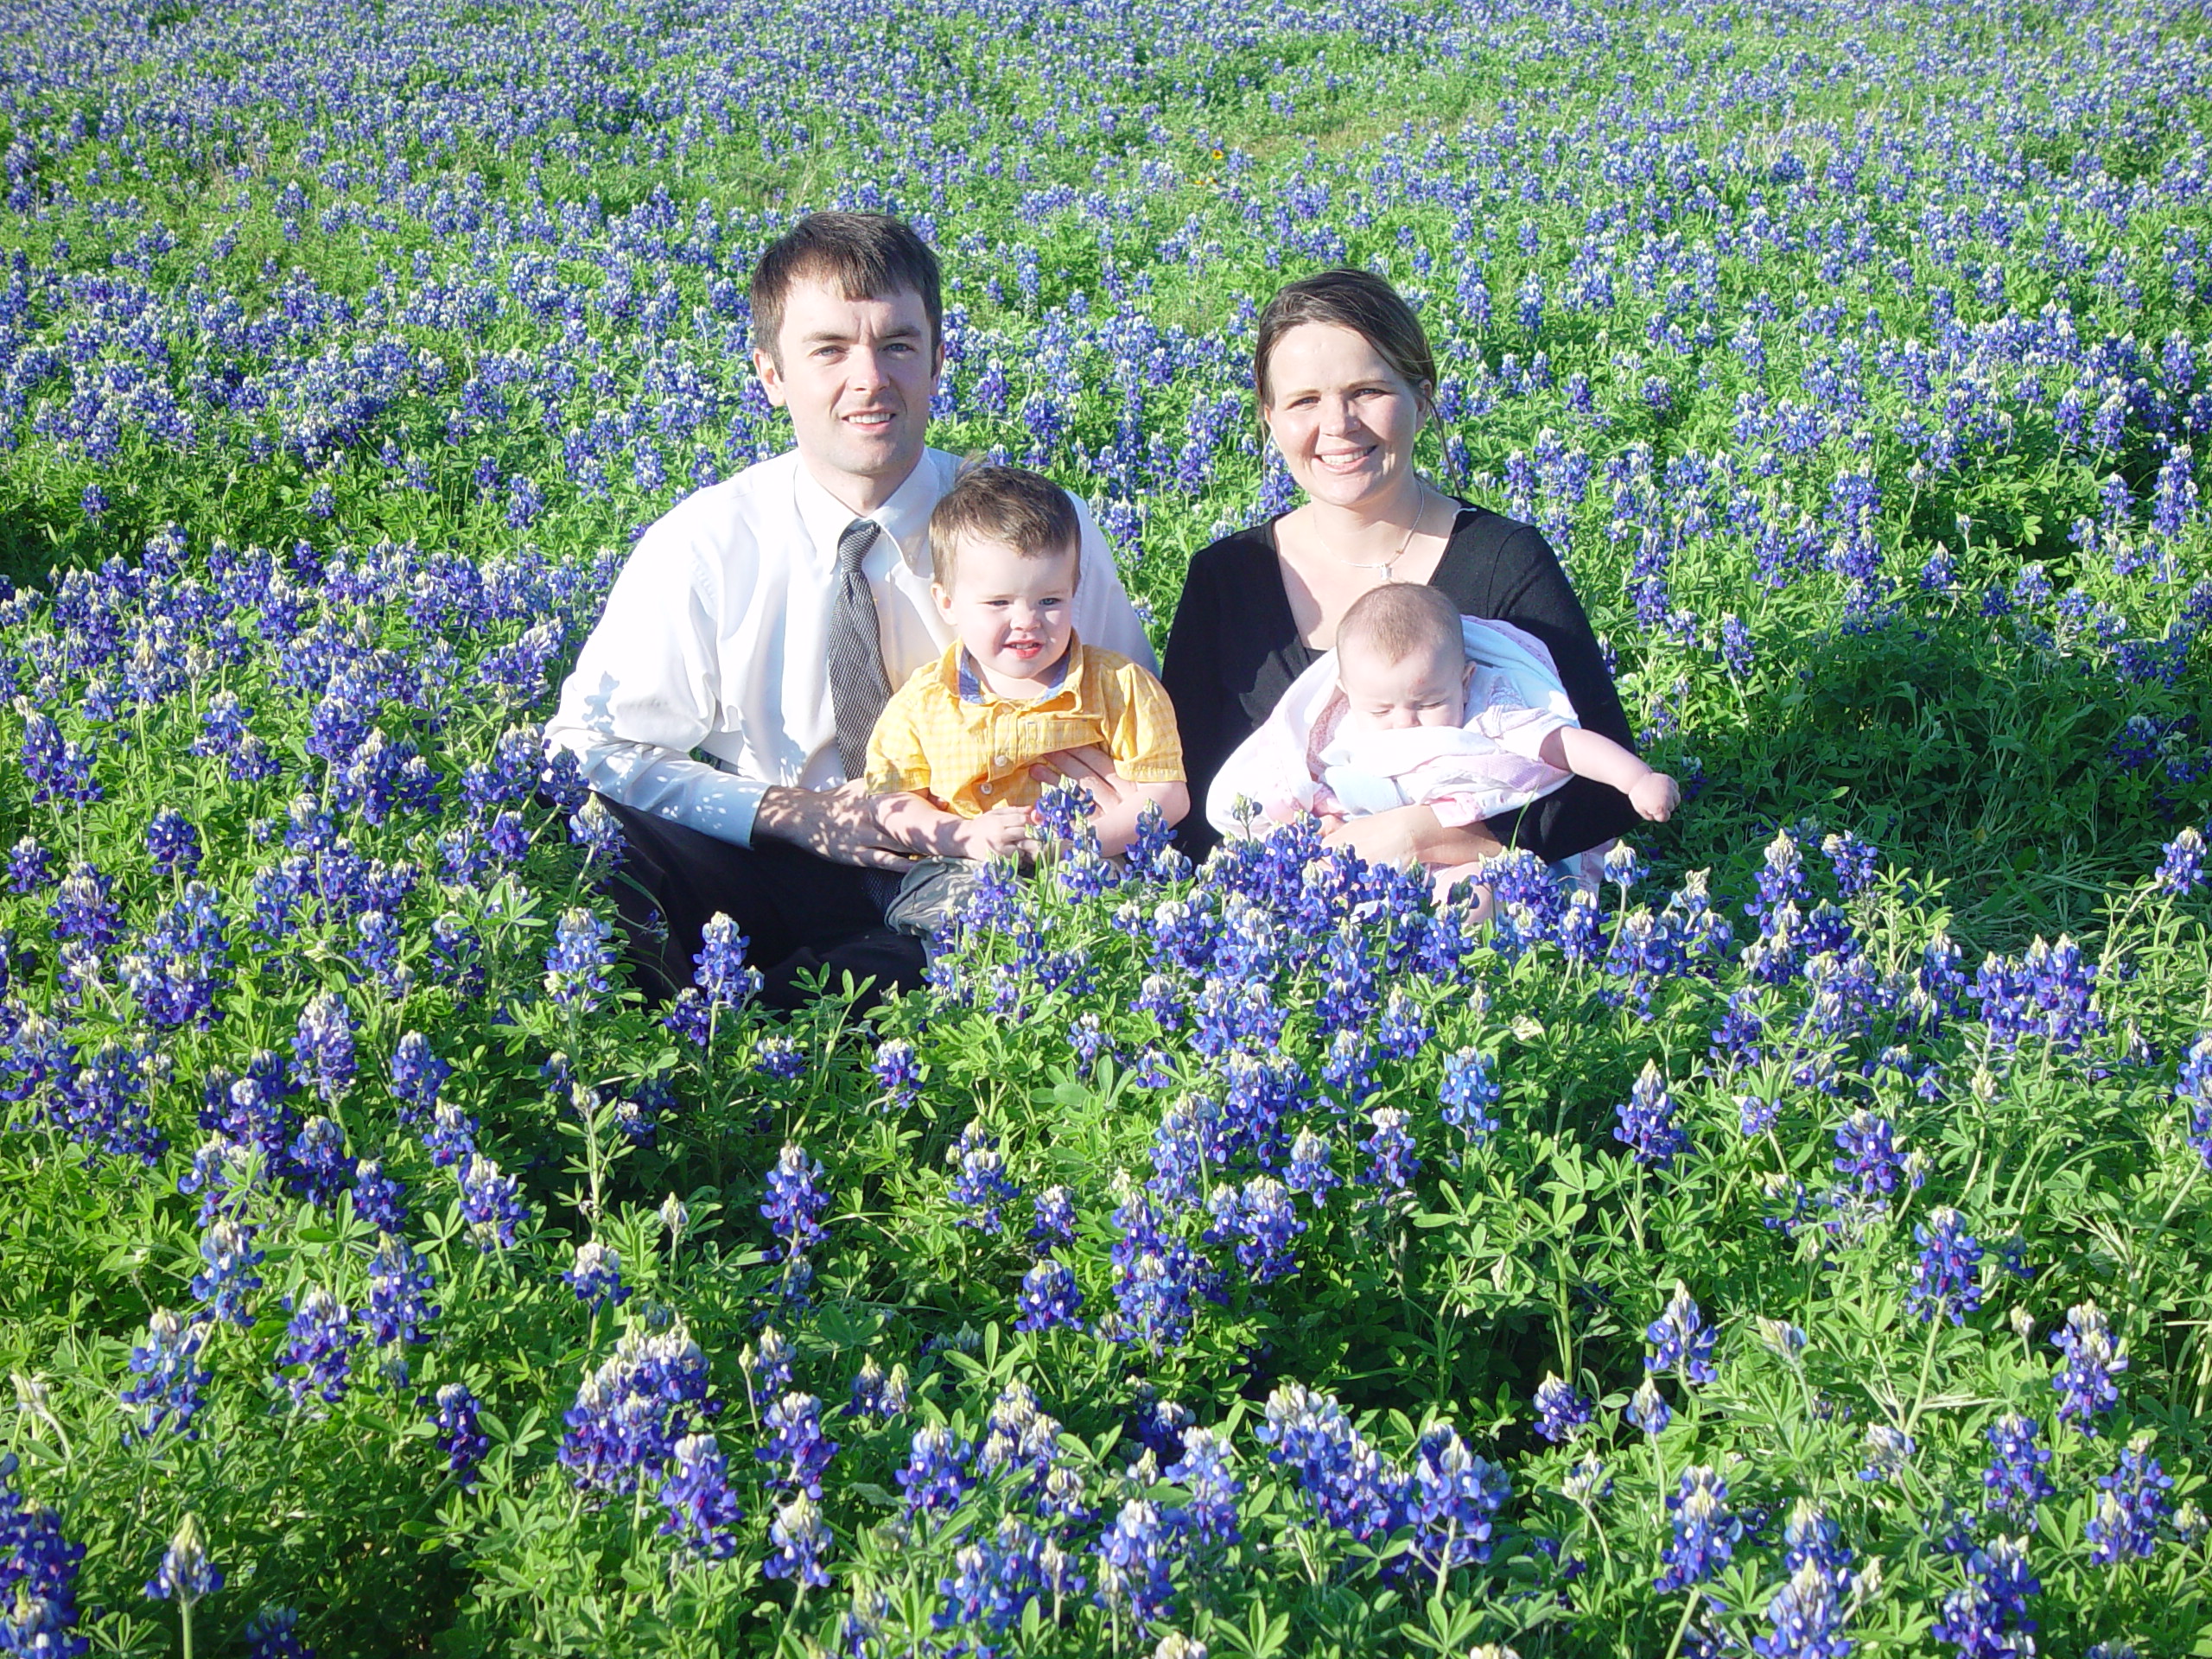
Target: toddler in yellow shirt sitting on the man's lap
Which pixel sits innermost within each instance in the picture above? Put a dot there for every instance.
(952, 753)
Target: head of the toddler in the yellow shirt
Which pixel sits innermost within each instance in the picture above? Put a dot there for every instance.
(1008, 554)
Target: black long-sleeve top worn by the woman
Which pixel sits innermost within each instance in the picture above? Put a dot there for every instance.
(1233, 651)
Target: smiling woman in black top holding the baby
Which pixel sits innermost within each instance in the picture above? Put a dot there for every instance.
(1344, 379)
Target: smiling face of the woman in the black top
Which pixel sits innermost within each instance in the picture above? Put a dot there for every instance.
(1342, 415)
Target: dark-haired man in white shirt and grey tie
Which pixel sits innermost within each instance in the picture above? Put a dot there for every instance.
(762, 625)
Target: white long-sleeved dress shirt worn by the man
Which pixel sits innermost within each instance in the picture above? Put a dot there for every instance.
(718, 640)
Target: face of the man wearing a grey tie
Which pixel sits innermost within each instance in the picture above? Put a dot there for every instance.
(857, 377)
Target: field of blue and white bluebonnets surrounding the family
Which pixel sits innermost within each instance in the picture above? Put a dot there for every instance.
(1802, 1251)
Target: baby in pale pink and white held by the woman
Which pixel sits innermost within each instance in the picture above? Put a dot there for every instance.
(1423, 707)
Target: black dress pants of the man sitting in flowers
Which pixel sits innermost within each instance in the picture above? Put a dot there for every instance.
(800, 915)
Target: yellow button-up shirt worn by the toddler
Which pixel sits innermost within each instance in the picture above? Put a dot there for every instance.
(974, 753)
